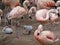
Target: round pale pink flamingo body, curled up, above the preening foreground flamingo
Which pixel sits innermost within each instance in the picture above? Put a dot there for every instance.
(42, 16)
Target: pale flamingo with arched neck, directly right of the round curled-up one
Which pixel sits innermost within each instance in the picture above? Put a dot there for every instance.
(53, 15)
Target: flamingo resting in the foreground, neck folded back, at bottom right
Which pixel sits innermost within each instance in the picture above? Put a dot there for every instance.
(45, 37)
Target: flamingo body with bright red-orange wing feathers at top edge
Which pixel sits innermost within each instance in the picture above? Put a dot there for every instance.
(45, 4)
